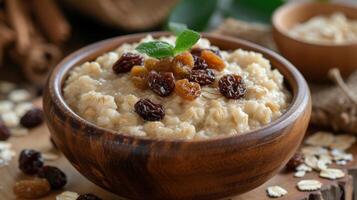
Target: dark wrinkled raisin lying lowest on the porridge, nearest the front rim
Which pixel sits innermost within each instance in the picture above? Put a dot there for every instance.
(149, 110)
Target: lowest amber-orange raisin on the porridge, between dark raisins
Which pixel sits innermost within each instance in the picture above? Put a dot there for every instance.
(187, 90)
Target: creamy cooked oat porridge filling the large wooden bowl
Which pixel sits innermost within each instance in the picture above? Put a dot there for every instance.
(108, 99)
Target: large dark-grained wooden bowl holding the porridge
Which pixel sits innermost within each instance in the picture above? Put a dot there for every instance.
(144, 168)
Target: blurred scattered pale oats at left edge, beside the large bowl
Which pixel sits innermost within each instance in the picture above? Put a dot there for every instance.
(14, 104)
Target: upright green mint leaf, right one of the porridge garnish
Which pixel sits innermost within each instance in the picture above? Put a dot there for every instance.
(186, 40)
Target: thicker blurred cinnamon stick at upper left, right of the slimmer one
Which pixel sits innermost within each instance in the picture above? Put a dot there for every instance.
(51, 20)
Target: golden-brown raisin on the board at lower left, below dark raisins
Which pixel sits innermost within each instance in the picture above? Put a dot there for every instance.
(31, 189)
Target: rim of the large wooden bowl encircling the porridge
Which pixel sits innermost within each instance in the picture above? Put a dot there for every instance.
(296, 108)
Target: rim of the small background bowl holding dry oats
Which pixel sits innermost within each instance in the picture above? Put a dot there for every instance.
(291, 6)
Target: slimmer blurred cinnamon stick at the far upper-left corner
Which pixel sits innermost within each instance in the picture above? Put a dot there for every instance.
(18, 21)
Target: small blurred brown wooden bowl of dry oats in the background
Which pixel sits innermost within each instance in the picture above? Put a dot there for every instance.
(313, 60)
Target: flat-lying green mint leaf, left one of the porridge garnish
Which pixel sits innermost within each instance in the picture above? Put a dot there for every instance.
(156, 49)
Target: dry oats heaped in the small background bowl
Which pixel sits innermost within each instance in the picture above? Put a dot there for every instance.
(333, 29)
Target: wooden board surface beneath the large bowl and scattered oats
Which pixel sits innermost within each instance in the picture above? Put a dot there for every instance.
(39, 139)
